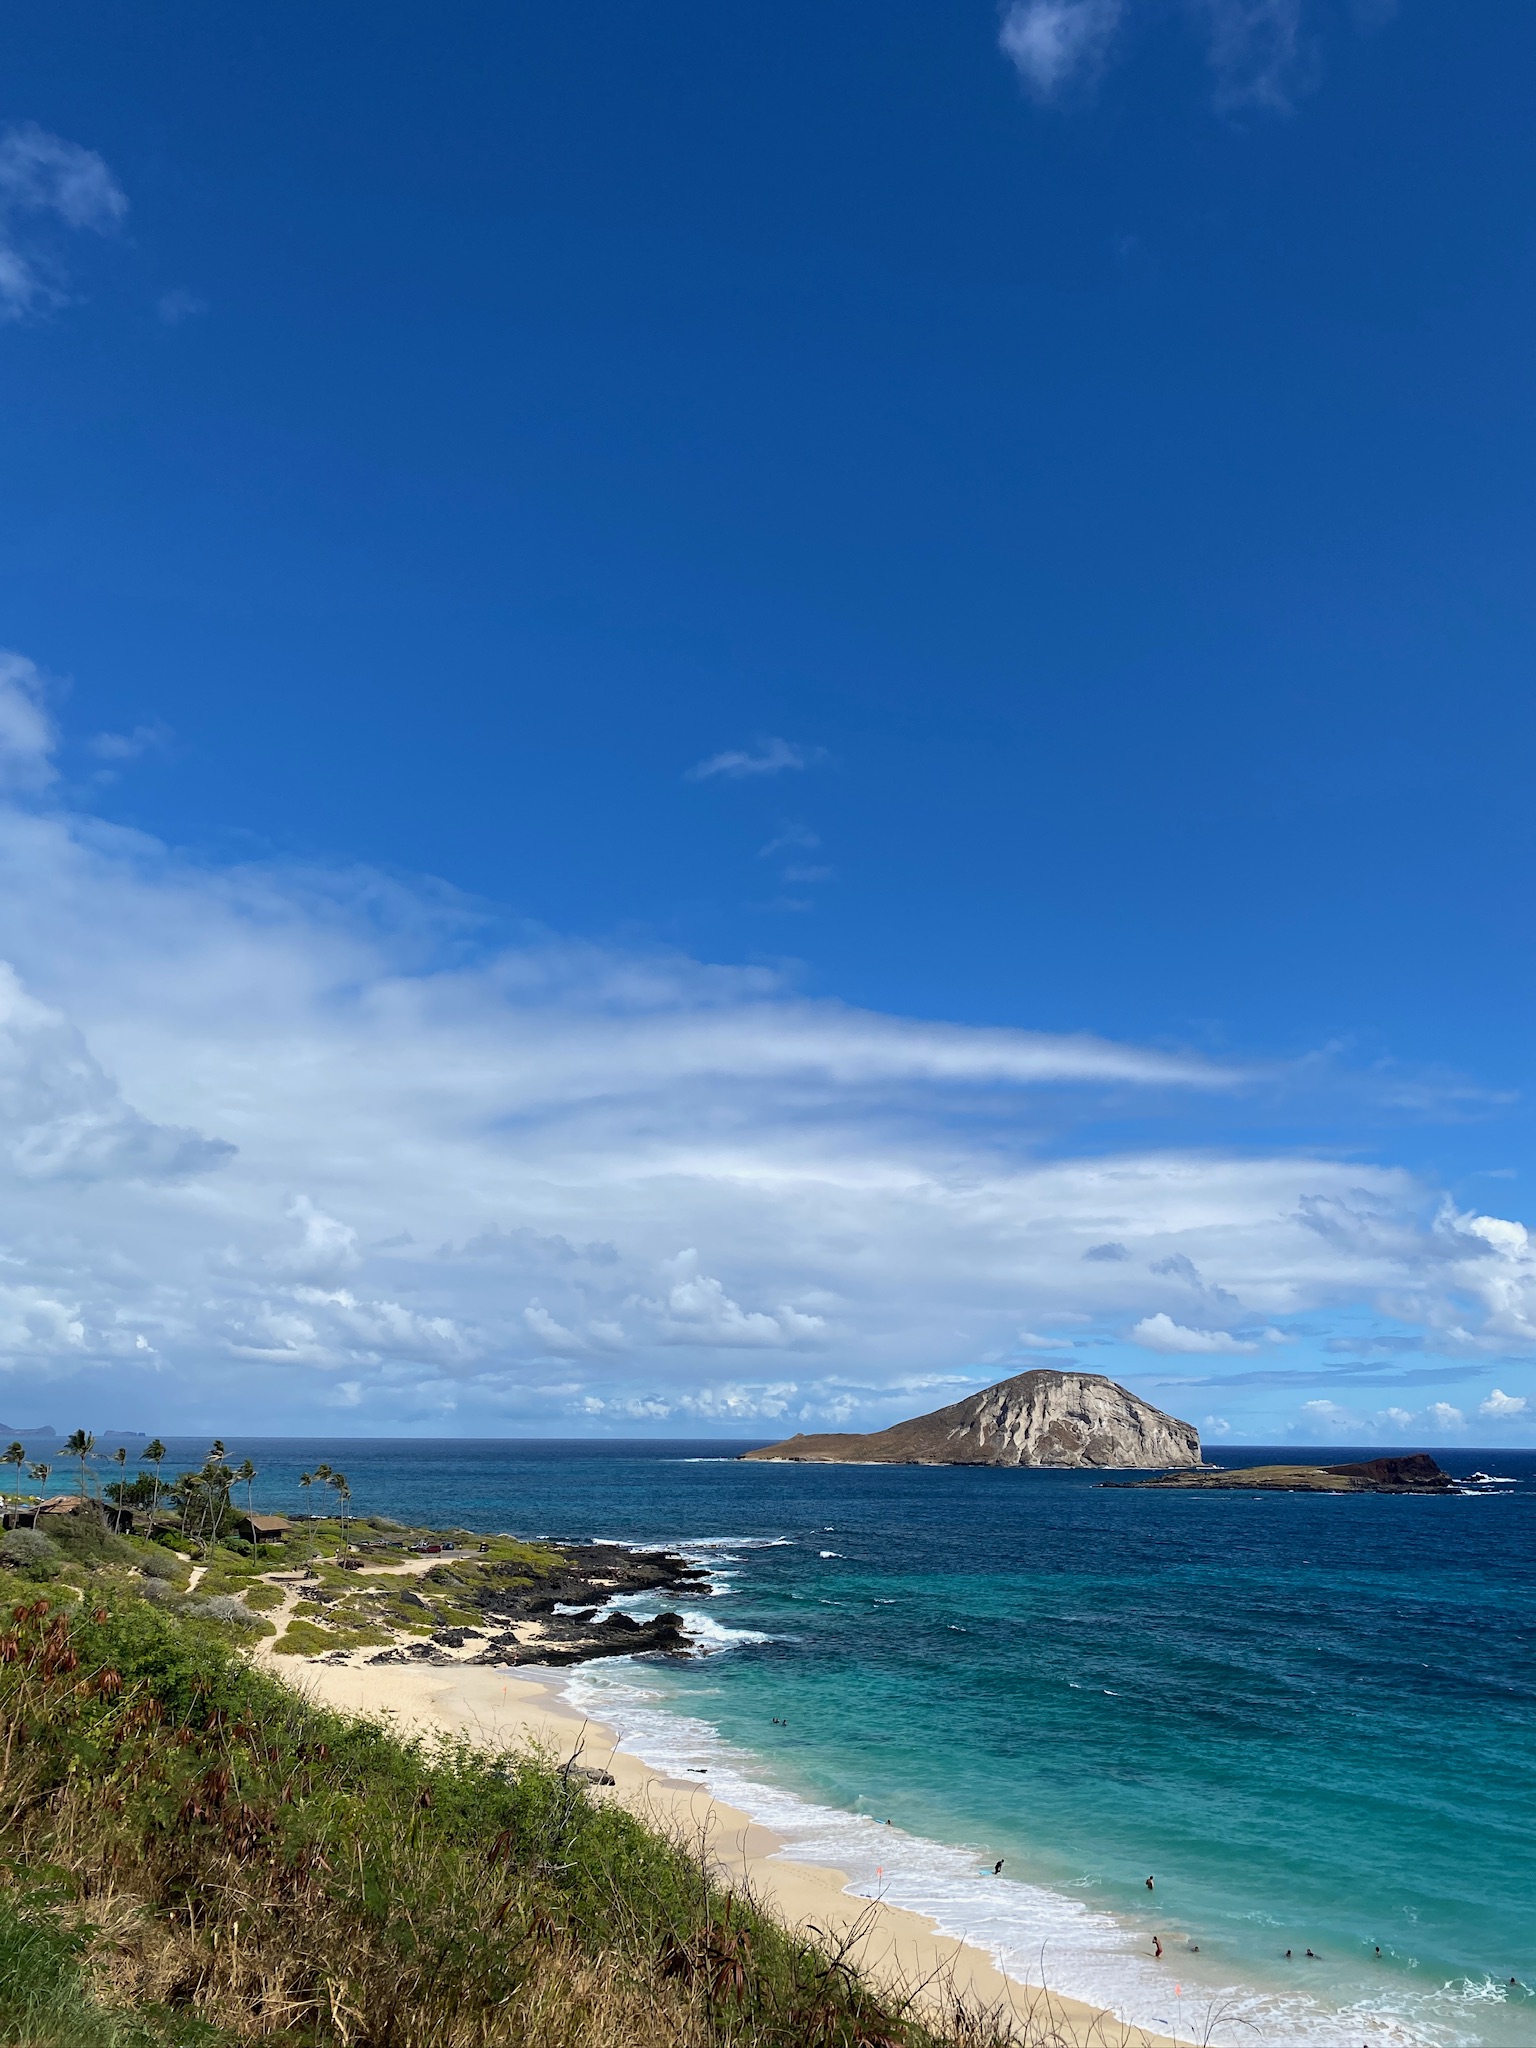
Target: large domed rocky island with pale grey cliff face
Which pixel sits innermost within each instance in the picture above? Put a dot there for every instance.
(1037, 1418)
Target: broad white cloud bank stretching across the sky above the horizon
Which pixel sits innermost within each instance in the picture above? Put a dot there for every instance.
(284, 1144)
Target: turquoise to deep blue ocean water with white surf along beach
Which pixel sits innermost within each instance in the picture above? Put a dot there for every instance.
(1312, 1719)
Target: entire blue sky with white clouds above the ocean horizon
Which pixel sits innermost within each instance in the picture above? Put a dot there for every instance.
(726, 722)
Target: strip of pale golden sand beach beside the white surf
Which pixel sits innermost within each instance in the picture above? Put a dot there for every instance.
(519, 1711)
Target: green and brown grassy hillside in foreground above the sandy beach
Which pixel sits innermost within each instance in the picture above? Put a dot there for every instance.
(191, 1854)
